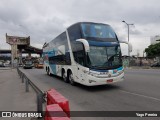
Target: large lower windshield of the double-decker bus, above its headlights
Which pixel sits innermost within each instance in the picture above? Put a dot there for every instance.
(104, 57)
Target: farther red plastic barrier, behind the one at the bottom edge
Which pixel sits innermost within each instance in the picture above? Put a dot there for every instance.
(53, 97)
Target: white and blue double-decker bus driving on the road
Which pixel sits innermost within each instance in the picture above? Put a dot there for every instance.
(86, 53)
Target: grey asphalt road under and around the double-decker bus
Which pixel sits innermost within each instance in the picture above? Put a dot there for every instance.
(139, 92)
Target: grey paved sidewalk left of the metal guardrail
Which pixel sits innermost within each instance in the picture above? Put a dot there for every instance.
(13, 96)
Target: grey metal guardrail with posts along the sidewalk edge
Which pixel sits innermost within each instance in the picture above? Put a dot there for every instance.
(40, 95)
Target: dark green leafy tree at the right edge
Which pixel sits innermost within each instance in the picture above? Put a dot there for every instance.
(153, 50)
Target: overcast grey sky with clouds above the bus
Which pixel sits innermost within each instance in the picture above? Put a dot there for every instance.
(43, 20)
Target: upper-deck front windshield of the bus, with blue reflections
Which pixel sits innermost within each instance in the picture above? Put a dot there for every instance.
(97, 31)
